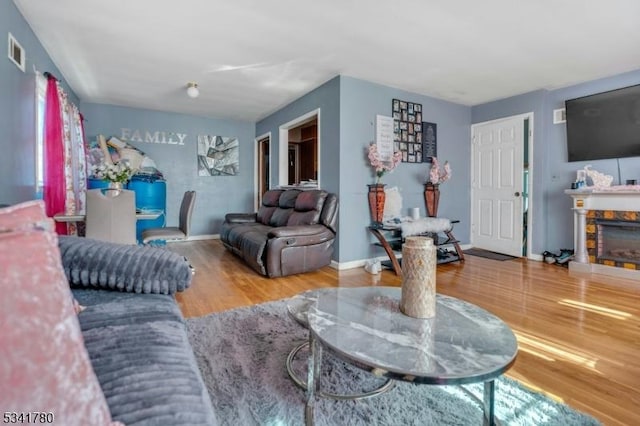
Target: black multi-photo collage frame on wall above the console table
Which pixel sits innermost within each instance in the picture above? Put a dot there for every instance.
(408, 131)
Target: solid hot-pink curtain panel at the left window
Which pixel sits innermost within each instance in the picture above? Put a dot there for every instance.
(54, 182)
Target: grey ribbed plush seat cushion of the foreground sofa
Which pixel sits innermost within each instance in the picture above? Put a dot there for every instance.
(142, 357)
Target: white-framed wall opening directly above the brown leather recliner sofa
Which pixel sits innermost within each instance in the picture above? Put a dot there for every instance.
(299, 163)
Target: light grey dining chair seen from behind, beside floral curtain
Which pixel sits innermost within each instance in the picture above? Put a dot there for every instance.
(111, 215)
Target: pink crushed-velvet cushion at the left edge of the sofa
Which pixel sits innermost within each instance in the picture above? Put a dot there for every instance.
(45, 366)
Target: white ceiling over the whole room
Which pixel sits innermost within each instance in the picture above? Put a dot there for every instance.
(251, 57)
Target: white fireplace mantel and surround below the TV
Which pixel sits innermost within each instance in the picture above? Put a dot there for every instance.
(620, 198)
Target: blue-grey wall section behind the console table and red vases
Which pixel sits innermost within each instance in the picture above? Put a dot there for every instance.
(360, 102)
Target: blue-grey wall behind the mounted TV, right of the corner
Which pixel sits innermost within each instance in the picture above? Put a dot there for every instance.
(552, 215)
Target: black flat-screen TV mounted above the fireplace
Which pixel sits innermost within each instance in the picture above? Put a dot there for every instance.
(604, 125)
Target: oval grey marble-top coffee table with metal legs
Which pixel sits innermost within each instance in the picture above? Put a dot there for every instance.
(462, 344)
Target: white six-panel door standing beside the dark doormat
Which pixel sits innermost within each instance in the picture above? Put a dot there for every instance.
(496, 185)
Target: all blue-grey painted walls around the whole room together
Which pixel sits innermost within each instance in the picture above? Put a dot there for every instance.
(348, 109)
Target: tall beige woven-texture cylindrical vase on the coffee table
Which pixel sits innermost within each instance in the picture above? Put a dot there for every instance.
(418, 298)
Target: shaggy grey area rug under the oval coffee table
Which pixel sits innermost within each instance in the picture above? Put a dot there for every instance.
(241, 354)
